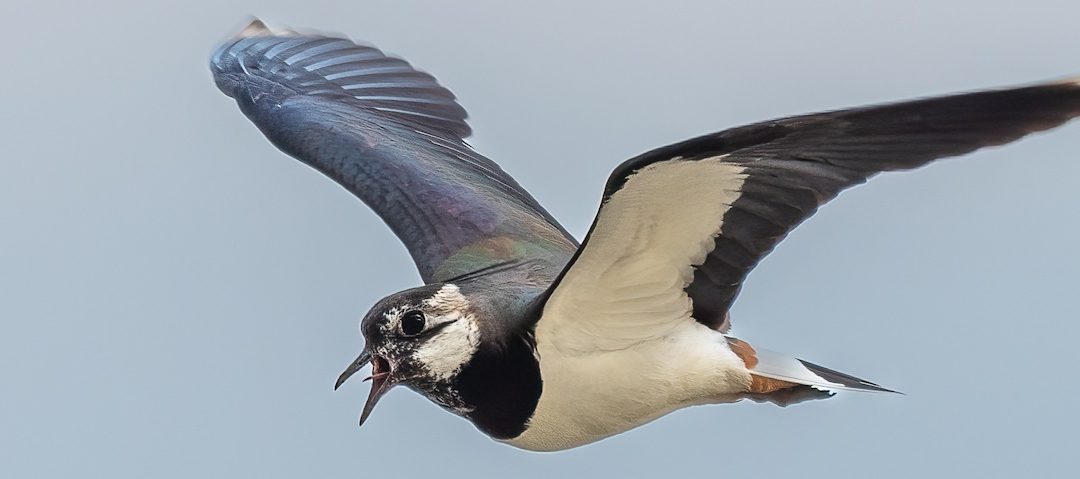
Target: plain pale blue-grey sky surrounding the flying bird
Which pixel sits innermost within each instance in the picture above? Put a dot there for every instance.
(178, 297)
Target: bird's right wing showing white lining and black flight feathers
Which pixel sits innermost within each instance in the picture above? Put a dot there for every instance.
(681, 227)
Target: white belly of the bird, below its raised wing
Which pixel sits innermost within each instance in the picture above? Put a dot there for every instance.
(590, 398)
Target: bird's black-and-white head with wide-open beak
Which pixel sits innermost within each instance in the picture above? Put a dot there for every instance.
(421, 338)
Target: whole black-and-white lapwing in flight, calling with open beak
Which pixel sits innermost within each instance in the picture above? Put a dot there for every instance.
(546, 344)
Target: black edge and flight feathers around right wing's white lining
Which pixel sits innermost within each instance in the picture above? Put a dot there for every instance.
(799, 163)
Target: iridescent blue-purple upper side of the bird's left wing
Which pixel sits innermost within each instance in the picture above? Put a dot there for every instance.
(394, 138)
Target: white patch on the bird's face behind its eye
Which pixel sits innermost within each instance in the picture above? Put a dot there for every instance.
(445, 353)
